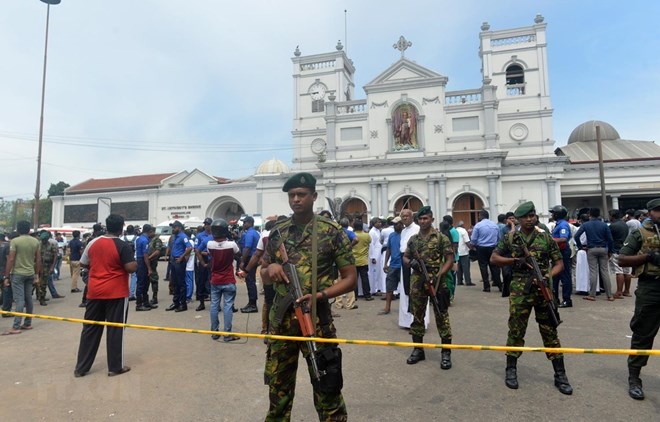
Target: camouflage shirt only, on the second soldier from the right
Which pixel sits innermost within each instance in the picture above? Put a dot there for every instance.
(540, 245)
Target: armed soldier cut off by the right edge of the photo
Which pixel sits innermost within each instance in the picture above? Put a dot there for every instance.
(642, 250)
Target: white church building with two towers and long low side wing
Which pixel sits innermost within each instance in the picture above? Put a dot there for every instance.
(409, 142)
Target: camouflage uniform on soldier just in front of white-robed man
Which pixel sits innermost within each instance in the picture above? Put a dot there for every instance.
(432, 250)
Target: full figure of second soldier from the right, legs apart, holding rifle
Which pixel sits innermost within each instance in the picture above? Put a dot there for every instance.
(510, 251)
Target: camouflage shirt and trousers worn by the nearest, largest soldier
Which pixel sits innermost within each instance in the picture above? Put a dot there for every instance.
(282, 356)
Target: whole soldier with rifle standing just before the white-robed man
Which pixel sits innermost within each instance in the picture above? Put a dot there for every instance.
(434, 250)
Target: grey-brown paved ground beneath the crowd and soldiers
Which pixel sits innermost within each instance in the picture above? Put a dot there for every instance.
(189, 377)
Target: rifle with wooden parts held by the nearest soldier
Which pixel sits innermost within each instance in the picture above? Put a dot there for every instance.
(303, 313)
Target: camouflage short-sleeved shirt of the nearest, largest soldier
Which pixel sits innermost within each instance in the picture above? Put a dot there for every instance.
(332, 245)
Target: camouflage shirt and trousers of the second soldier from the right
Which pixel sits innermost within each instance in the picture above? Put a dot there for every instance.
(544, 249)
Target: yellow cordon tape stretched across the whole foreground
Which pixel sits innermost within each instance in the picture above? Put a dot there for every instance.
(573, 350)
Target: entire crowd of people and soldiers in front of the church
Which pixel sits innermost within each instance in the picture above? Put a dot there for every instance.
(404, 258)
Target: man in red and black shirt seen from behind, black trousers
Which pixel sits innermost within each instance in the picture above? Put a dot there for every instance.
(109, 260)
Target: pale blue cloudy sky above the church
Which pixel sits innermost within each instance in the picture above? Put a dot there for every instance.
(156, 86)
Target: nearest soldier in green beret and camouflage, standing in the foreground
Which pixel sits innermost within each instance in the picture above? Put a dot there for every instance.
(295, 234)
